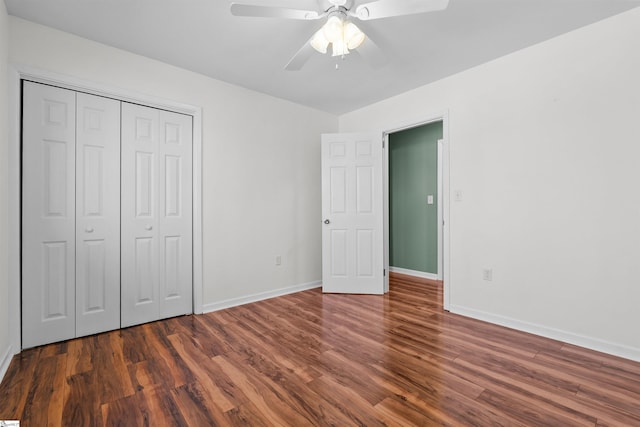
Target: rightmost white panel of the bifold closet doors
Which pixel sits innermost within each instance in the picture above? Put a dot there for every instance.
(175, 217)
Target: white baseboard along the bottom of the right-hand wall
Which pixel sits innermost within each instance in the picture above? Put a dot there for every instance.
(556, 334)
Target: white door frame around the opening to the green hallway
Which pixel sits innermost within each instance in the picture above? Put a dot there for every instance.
(443, 170)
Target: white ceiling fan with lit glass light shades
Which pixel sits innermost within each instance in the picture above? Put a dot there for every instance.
(338, 30)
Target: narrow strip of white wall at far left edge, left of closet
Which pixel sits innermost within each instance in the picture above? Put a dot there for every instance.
(5, 351)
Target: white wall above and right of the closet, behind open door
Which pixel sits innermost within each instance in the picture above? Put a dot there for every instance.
(261, 162)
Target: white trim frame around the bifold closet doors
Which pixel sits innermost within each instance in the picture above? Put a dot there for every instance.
(17, 73)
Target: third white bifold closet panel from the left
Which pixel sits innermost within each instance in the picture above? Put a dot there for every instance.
(139, 215)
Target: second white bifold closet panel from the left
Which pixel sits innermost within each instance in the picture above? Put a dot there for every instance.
(97, 214)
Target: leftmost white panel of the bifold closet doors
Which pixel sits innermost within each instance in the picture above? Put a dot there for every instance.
(48, 215)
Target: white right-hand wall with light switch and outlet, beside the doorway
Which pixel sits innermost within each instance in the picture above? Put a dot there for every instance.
(545, 146)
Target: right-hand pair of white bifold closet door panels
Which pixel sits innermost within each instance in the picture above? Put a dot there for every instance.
(156, 215)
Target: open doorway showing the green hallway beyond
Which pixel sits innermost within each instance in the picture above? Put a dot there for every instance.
(416, 199)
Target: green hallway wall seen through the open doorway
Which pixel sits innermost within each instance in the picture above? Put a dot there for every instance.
(413, 175)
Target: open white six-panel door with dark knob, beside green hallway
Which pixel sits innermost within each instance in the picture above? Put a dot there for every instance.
(352, 214)
